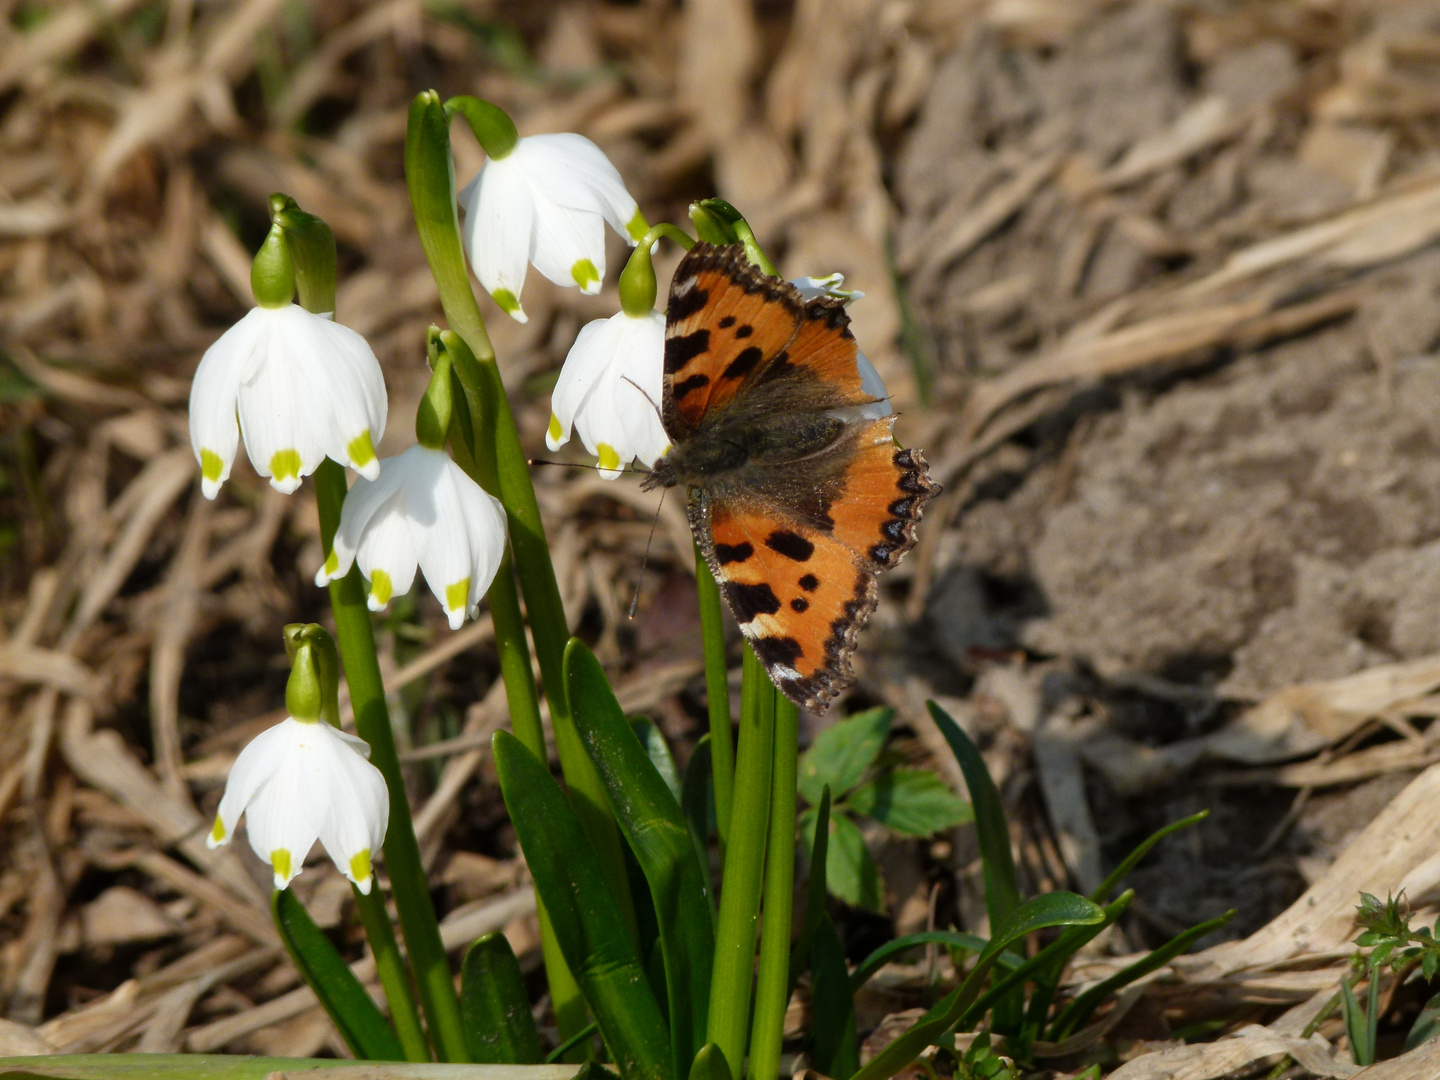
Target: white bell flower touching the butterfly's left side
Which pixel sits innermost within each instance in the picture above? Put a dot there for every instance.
(610, 392)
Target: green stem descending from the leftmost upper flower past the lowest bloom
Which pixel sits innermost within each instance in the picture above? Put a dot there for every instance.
(402, 855)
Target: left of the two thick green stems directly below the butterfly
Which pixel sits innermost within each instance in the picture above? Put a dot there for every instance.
(738, 925)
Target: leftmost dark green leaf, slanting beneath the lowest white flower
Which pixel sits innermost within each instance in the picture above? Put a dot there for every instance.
(356, 1017)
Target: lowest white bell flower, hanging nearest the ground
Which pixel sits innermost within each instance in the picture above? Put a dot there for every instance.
(300, 783)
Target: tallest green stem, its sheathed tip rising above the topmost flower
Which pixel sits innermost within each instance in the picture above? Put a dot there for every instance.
(430, 178)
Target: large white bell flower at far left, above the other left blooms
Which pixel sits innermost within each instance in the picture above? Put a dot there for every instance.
(305, 388)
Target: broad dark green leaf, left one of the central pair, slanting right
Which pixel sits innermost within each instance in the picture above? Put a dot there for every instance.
(587, 921)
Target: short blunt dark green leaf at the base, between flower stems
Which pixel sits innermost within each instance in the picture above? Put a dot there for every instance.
(500, 1029)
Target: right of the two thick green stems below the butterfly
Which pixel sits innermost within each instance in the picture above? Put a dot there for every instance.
(773, 991)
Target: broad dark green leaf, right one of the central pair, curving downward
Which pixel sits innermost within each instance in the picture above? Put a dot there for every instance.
(660, 837)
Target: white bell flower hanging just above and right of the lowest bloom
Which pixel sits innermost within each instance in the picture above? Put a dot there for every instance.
(423, 512)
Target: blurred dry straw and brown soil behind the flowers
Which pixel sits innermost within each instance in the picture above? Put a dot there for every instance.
(1153, 284)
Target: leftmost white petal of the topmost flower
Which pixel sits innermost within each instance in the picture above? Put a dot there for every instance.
(499, 221)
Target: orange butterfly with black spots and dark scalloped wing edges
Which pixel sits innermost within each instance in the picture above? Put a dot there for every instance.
(798, 495)
